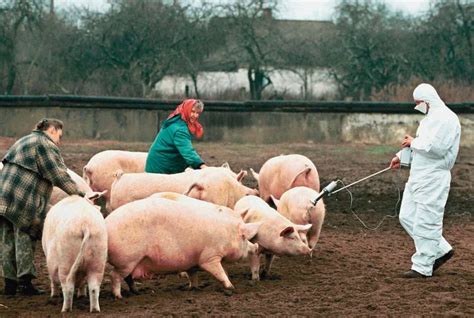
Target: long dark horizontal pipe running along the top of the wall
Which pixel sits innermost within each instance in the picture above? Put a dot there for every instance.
(72, 101)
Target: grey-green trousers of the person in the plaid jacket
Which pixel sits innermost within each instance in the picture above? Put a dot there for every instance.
(17, 251)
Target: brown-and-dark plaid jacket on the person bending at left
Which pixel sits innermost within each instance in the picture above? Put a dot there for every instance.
(32, 166)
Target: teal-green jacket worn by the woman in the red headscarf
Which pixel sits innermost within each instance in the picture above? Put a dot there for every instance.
(172, 150)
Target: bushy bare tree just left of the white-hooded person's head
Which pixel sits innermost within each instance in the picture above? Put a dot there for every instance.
(367, 54)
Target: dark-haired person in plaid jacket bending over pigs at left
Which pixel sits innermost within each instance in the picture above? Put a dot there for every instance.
(32, 166)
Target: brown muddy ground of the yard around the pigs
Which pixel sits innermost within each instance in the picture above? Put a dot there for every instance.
(354, 271)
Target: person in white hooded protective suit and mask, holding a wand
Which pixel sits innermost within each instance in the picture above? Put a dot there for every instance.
(434, 151)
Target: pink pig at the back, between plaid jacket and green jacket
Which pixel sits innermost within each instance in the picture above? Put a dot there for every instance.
(99, 171)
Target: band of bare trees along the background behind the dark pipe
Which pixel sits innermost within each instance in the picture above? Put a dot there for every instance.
(371, 52)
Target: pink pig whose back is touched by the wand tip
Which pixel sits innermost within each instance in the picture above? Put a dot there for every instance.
(296, 205)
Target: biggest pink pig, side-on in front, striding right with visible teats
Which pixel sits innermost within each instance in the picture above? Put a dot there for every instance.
(161, 236)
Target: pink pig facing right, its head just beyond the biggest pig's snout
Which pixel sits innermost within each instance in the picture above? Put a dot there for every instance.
(276, 236)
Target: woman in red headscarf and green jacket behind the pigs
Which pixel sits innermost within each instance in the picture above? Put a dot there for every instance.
(172, 150)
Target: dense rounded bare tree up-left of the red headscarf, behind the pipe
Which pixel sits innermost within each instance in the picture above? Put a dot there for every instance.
(137, 44)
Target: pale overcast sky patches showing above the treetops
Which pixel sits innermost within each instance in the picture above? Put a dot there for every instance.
(290, 9)
